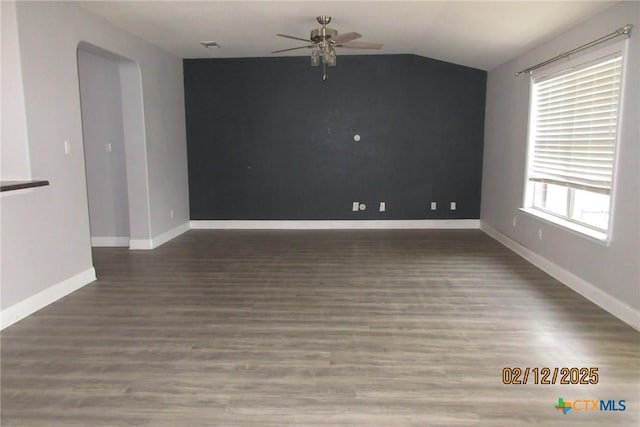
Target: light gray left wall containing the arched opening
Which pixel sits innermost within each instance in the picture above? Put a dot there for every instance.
(45, 232)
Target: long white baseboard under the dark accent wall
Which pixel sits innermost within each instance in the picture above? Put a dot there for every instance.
(336, 224)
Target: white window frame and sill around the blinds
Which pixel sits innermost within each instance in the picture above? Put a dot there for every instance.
(527, 202)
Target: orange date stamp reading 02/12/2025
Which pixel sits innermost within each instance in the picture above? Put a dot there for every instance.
(545, 375)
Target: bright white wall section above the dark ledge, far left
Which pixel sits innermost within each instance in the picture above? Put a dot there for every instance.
(15, 152)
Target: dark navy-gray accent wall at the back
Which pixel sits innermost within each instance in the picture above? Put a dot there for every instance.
(268, 139)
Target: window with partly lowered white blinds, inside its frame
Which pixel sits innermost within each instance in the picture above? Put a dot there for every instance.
(573, 135)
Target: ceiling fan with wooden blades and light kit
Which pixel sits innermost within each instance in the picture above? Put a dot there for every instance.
(324, 40)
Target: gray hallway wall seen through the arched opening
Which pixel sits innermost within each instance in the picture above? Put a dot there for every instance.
(101, 104)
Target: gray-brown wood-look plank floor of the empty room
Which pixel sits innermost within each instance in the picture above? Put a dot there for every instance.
(314, 328)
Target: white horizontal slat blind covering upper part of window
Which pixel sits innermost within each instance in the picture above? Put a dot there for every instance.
(575, 126)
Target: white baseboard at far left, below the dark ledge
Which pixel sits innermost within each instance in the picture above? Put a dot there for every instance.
(24, 308)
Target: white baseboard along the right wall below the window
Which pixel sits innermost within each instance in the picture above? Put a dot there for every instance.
(591, 292)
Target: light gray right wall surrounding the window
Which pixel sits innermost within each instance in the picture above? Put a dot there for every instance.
(612, 269)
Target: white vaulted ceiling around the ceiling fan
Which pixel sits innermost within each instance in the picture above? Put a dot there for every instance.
(480, 34)
